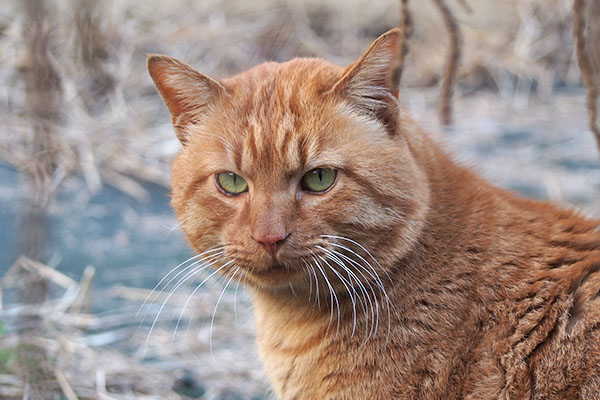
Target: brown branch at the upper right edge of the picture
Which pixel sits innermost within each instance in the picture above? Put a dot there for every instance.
(590, 81)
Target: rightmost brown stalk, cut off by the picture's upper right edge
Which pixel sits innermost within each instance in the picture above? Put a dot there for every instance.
(590, 67)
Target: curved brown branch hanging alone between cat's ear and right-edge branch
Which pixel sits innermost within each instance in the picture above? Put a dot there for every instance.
(451, 62)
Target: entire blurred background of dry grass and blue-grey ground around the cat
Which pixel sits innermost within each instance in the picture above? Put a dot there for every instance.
(86, 146)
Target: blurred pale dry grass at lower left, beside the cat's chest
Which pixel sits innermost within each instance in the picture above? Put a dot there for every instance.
(74, 353)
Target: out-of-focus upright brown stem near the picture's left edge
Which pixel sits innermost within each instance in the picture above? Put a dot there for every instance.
(42, 94)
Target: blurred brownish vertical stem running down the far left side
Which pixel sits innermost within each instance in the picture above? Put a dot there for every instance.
(39, 172)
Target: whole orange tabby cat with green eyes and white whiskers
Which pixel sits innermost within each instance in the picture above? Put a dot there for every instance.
(379, 268)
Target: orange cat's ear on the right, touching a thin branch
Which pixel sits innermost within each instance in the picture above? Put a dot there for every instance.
(371, 83)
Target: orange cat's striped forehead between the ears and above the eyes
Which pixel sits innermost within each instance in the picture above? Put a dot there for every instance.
(278, 118)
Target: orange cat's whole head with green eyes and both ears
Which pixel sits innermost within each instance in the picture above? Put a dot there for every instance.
(295, 169)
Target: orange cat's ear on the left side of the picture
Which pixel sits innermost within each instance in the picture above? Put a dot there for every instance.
(185, 91)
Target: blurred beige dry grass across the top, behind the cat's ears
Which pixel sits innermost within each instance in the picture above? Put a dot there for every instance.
(112, 128)
